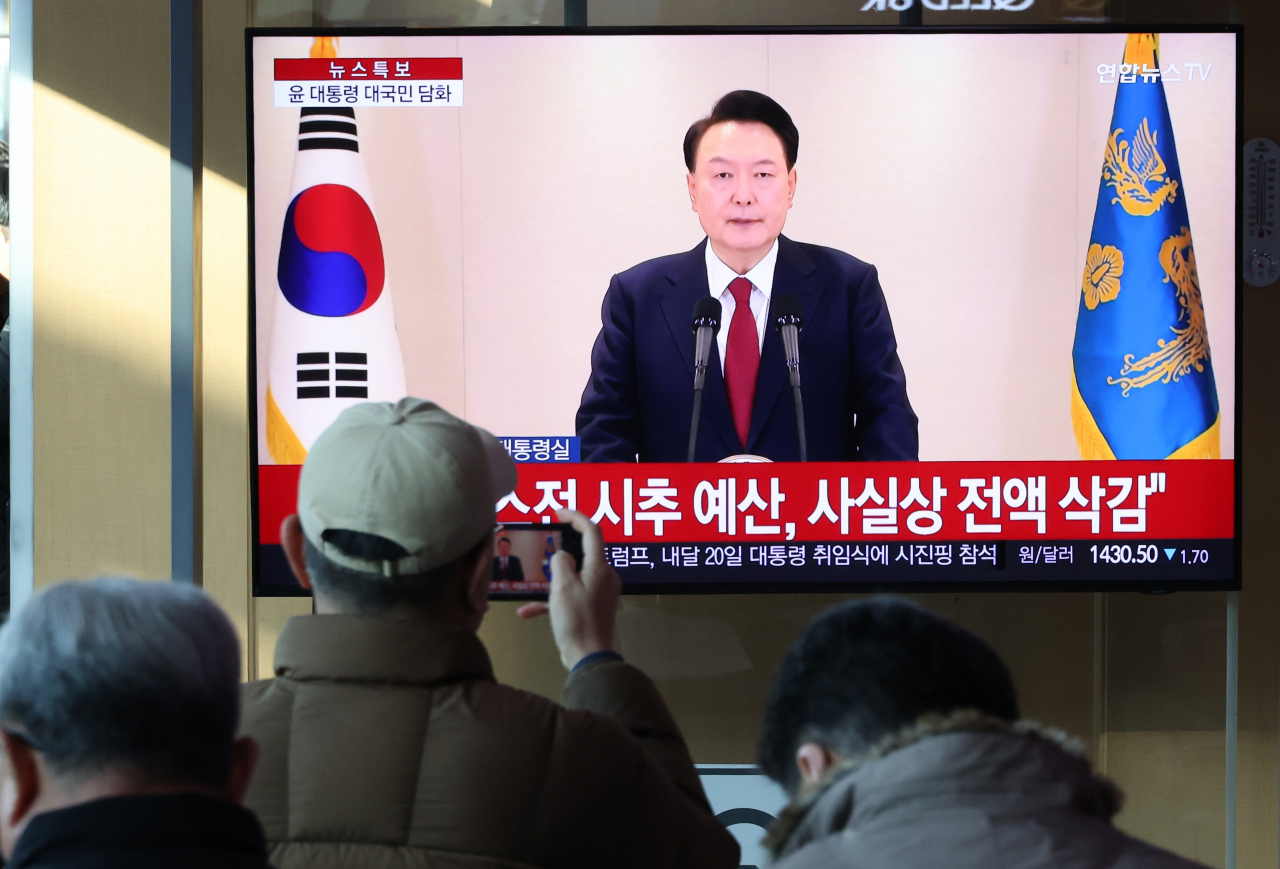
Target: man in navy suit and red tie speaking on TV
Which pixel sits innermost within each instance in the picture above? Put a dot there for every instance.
(639, 401)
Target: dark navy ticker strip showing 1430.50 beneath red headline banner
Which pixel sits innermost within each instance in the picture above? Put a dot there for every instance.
(877, 562)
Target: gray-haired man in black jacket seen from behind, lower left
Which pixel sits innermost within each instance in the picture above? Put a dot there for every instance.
(120, 702)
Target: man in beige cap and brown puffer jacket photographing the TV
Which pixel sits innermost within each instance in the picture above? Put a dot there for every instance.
(385, 739)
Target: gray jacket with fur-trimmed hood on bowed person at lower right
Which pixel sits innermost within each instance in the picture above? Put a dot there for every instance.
(964, 792)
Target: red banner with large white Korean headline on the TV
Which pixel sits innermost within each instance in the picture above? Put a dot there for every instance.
(884, 501)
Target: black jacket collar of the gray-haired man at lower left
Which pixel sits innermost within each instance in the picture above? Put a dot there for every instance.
(122, 825)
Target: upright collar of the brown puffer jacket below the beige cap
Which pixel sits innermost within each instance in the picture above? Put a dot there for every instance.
(372, 650)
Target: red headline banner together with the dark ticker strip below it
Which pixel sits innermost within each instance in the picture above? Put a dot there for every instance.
(790, 525)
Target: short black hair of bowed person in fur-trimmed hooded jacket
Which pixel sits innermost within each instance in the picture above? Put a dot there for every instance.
(866, 670)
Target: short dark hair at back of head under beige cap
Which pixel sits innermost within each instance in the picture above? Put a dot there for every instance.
(373, 593)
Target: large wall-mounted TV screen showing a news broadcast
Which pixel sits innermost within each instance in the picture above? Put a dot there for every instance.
(779, 310)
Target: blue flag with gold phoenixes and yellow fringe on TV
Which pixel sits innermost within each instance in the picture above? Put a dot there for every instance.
(1144, 378)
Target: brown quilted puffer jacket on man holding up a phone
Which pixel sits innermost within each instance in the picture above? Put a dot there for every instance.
(388, 744)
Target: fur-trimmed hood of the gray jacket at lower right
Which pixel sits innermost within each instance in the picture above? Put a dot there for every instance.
(1018, 766)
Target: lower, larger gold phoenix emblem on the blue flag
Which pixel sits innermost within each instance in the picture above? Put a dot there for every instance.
(1190, 349)
